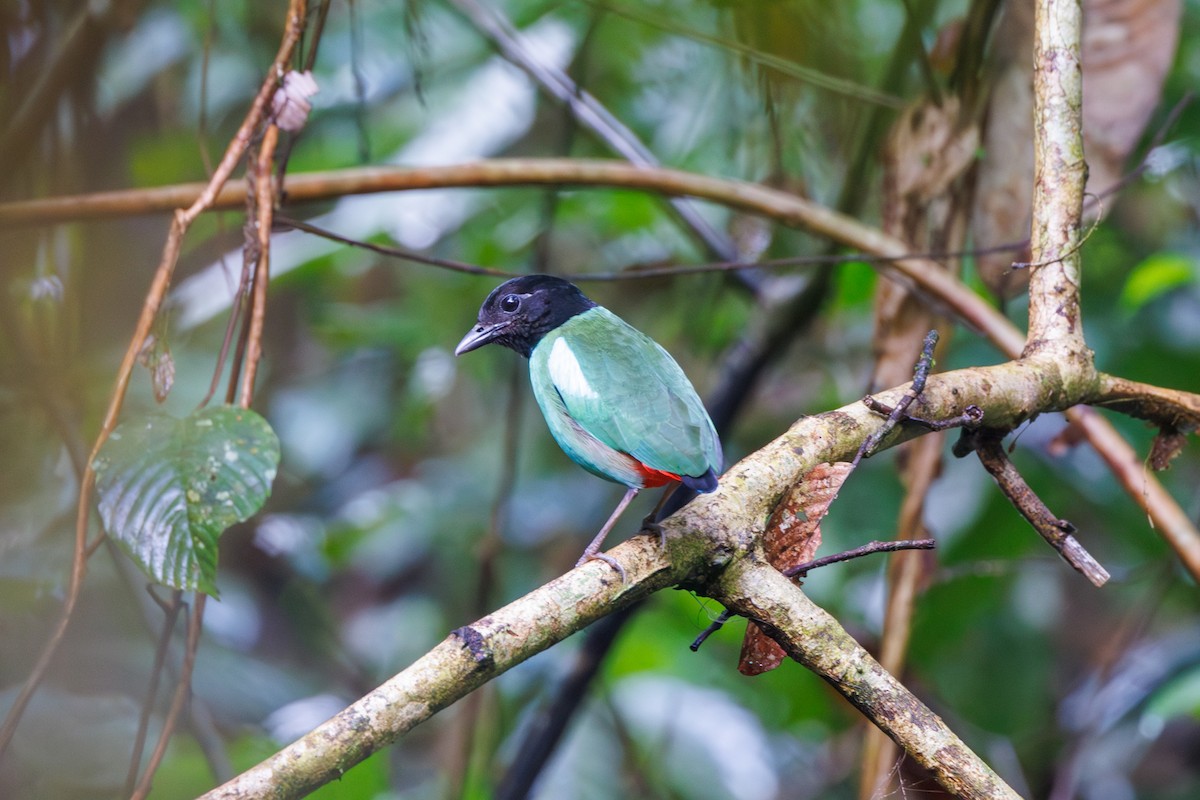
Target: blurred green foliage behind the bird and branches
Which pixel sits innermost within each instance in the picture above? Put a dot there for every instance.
(399, 478)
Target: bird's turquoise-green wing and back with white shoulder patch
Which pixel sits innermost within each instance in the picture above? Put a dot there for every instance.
(626, 390)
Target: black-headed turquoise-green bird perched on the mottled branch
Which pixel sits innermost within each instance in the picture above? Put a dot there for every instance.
(614, 399)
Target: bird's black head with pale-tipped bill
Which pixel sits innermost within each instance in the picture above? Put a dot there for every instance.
(521, 311)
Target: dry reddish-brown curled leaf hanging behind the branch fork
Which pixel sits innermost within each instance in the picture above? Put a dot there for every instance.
(793, 538)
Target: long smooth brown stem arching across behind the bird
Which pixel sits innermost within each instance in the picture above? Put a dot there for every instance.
(943, 290)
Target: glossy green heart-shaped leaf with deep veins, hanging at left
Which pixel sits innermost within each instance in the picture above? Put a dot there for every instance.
(170, 488)
